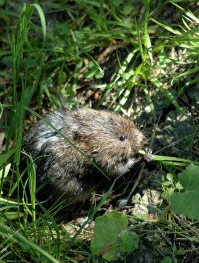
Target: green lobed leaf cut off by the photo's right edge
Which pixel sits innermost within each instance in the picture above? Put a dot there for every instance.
(186, 202)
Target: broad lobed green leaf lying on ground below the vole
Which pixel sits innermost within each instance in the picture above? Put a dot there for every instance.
(112, 237)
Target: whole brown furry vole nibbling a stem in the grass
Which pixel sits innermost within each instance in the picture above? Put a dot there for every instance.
(108, 139)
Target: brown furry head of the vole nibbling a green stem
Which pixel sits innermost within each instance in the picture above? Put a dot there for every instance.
(109, 139)
